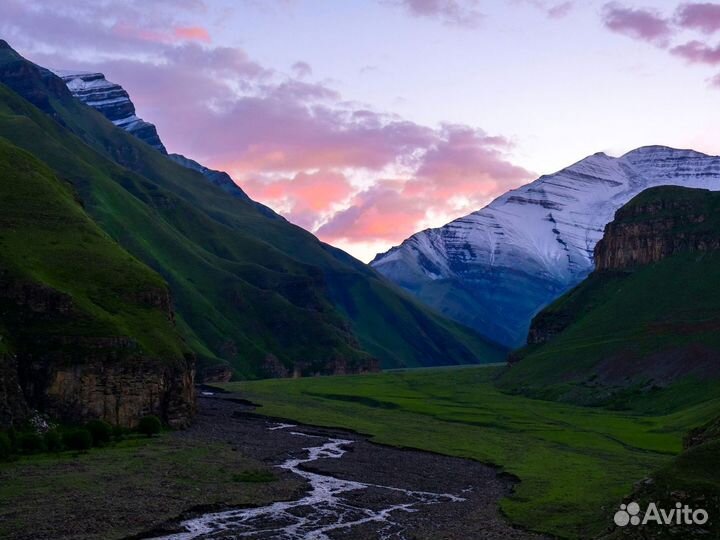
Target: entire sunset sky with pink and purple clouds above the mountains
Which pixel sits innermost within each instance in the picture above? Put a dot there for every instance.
(365, 121)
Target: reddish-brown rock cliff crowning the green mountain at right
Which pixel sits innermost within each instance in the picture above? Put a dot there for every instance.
(652, 230)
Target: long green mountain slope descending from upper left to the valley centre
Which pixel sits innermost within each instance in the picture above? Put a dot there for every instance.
(254, 295)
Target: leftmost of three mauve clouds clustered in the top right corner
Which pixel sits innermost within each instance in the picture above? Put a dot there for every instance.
(644, 24)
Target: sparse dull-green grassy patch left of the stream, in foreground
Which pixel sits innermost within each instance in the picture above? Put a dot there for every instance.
(130, 487)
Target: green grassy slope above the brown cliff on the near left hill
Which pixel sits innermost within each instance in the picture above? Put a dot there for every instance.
(48, 242)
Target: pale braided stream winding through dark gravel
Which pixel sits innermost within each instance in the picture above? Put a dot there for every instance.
(321, 511)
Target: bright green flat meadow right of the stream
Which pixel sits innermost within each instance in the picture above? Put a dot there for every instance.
(575, 464)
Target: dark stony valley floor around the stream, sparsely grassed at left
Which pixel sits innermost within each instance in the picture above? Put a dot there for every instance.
(145, 491)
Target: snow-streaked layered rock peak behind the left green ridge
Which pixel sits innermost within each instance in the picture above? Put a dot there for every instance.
(113, 102)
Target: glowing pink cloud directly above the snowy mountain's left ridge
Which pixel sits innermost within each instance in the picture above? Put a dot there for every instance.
(460, 172)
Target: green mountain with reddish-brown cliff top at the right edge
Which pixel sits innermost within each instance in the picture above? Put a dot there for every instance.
(643, 329)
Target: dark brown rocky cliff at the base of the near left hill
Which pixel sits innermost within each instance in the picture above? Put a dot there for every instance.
(79, 377)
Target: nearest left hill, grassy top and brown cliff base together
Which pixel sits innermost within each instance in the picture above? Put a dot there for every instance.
(79, 340)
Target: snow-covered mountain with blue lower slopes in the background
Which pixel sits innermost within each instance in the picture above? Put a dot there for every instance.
(496, 268)
